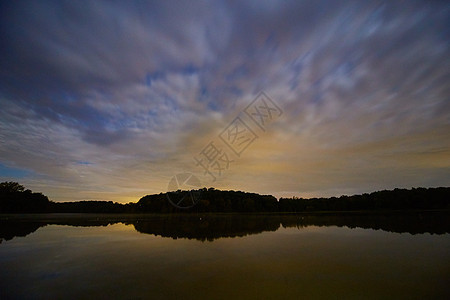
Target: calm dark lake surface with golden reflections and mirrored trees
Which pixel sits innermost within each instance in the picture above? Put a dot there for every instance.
(225, 257)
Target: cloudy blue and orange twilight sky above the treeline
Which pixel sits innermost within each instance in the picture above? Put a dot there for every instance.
(109, 100)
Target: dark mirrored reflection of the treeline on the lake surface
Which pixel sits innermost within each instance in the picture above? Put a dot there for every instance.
(210, 227)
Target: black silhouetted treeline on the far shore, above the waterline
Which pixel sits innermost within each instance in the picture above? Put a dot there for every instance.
(15, 199)
